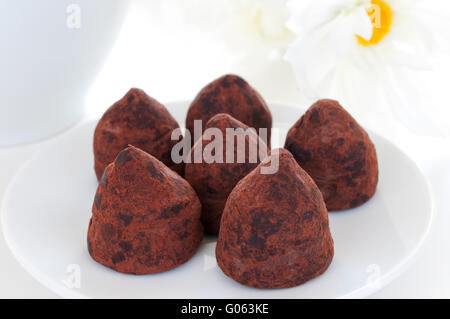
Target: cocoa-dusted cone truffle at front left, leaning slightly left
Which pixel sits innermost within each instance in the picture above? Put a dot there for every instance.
(145, 217)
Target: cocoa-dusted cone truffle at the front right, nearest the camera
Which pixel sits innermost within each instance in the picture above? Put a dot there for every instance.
(274, 231)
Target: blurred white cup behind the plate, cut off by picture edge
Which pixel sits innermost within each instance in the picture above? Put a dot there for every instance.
(51, 52)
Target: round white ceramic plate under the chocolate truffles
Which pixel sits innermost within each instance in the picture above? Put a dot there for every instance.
(47, 208)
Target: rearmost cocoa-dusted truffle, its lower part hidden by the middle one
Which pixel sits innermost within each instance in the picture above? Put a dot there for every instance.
(232, 95)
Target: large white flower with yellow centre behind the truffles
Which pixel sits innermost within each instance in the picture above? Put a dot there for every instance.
(370, 55)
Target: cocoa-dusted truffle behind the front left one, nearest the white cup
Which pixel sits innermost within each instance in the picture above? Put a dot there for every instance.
(139, 120)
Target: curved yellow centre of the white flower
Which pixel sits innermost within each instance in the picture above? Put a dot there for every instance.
(381, 16)
